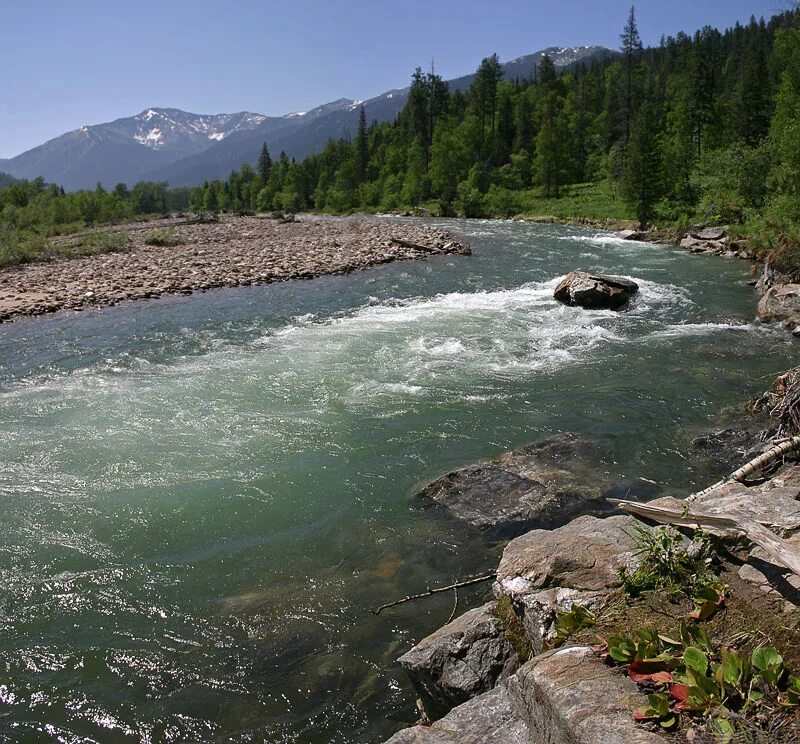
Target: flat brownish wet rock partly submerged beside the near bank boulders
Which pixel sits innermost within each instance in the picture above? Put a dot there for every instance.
(543, 485)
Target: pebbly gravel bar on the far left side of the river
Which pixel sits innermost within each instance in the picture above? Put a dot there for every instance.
(231, 252)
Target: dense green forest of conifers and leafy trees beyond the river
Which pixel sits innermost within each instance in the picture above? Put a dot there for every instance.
(701, 128)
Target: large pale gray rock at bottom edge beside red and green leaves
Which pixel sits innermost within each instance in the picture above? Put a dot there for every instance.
(569, 697)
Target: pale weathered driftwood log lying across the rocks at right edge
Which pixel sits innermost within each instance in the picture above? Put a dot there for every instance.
(757, 533)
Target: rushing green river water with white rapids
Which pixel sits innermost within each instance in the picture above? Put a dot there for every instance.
(202, 497)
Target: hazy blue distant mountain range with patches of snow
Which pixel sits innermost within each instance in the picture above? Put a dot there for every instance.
(164, 144)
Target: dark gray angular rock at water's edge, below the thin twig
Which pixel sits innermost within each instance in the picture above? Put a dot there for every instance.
(463, 659)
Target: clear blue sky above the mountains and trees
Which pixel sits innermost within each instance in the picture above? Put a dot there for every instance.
(68, 64)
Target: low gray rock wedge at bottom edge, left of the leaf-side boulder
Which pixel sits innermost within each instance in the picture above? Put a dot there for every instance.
(488, 719)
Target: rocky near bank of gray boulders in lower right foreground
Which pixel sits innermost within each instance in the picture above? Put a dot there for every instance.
(507, 673)
